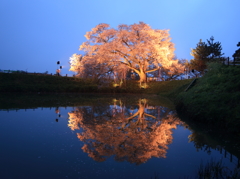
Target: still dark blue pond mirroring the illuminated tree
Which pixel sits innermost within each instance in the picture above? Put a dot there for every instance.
(110, 137)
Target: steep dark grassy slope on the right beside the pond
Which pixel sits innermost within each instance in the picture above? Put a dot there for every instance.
(214, 100)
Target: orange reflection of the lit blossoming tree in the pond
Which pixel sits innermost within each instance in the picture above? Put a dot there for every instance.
(130, 133)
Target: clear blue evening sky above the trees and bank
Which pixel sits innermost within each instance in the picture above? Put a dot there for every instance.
(35, 34)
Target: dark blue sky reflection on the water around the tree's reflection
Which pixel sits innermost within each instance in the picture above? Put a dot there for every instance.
(34, 145)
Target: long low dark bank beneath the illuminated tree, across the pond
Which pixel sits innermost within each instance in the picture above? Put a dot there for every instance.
(30, 83)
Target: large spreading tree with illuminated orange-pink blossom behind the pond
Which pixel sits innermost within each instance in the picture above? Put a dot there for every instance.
(137, 47)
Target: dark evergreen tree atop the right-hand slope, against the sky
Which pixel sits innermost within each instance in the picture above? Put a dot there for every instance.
(204, 53)
